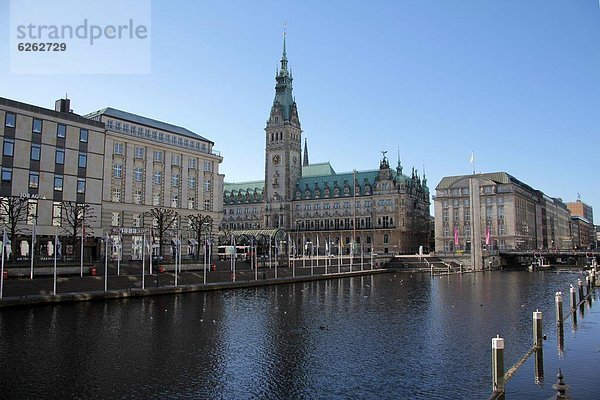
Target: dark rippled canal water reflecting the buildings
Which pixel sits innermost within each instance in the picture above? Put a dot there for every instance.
(388, 336)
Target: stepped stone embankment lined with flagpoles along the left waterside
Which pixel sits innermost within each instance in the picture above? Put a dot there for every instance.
(40, 290)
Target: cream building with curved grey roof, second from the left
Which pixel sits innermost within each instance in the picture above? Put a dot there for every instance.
(151, 164)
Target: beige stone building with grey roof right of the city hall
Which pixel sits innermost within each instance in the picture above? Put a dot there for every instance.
(507, 213)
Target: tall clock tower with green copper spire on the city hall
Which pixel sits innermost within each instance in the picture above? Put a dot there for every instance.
(283, 149)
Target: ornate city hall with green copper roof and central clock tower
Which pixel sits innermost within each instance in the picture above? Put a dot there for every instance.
(381, 209)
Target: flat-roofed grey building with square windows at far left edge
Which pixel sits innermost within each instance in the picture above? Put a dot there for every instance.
(51, 160)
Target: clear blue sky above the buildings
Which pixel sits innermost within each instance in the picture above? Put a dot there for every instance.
(515, 81)
